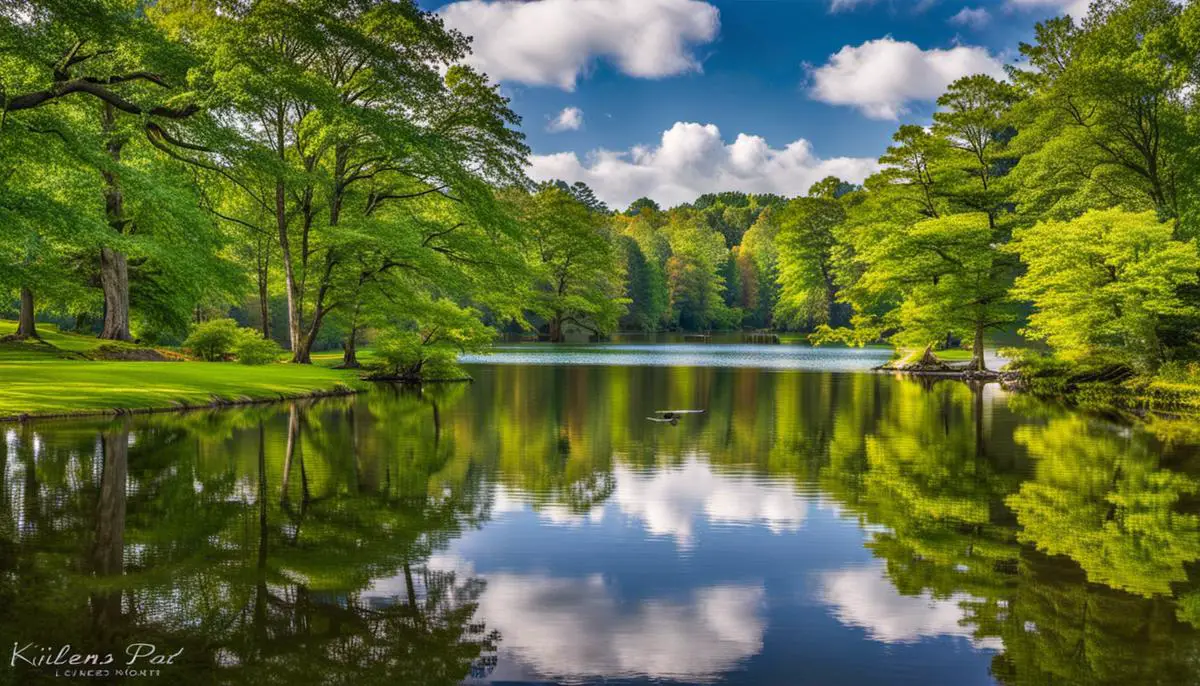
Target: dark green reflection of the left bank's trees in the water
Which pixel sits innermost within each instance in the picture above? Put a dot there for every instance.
(185, 533)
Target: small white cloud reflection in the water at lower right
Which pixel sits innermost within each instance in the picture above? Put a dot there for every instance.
(865, 598)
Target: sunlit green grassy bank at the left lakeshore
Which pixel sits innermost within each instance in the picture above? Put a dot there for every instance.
(58, 377)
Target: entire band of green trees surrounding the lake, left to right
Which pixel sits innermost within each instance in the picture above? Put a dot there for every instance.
(244, 178)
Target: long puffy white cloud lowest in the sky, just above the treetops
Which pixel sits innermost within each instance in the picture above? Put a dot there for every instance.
(692, 160)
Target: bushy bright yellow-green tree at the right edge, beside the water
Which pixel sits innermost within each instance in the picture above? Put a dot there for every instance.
(1105, 282)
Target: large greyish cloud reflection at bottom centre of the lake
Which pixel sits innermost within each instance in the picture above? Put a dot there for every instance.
(574, 628)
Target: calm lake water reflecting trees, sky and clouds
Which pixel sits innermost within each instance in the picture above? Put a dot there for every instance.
(535, 528)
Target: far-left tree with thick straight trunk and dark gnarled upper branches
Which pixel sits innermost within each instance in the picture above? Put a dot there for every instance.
(123, 74)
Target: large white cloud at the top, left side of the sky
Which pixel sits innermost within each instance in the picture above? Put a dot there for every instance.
(553, 43)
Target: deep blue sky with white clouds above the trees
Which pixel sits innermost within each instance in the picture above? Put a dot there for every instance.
(674, 99)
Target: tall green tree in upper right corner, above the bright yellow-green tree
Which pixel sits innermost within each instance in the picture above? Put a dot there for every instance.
(1105, 124)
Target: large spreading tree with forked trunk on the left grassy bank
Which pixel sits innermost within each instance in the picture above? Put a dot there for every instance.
(340, 115)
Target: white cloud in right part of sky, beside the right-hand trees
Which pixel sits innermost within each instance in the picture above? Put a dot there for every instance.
(881, 77)
